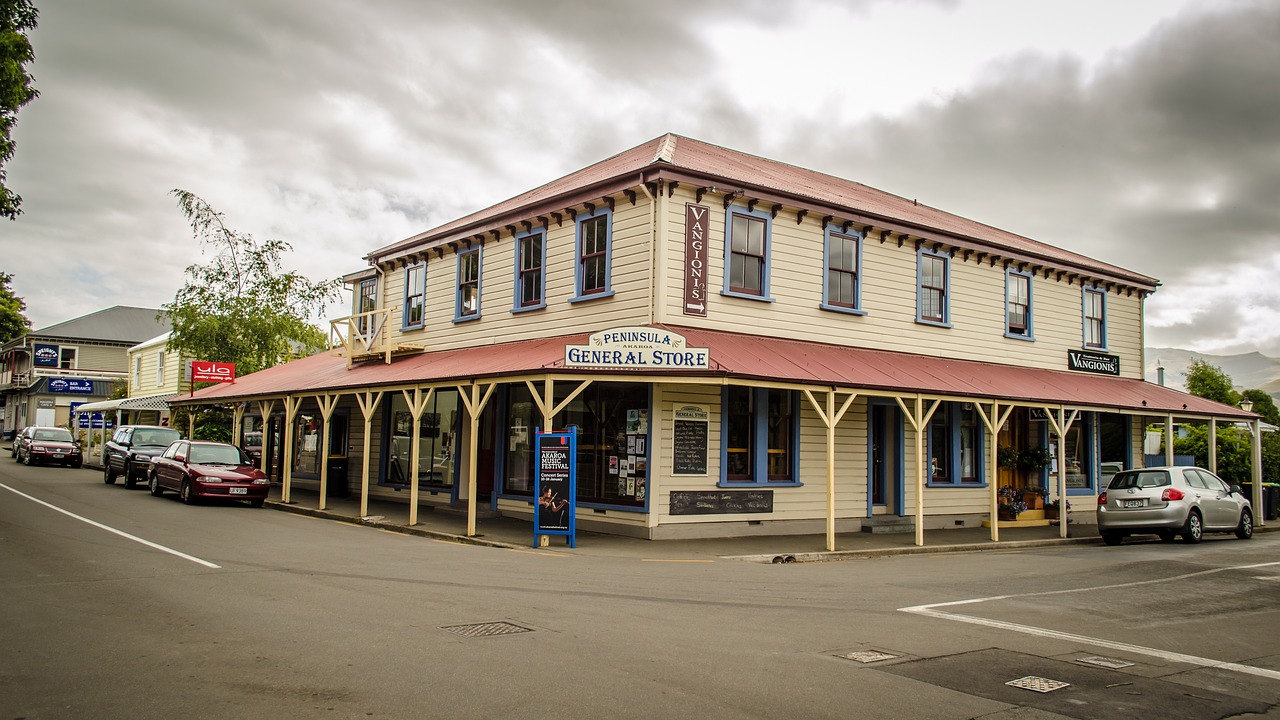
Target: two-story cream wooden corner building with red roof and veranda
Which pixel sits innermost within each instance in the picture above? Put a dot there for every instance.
(744, 348)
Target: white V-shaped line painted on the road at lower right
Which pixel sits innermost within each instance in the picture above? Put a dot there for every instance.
(929, 610)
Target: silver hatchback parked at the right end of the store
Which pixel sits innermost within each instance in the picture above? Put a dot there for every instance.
(1171, 503)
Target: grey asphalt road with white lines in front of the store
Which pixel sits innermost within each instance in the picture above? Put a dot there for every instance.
(243, 613)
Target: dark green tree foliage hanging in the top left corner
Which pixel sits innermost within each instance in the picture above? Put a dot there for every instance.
(17, 17)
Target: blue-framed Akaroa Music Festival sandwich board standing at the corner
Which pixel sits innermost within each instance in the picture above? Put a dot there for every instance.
(556, 485)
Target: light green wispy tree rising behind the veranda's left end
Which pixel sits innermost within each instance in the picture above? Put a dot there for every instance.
(243, 308)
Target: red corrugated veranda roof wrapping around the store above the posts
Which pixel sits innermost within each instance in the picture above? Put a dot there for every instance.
(740, 357)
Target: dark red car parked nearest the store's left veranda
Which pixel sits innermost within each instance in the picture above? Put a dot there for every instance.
(199, 470)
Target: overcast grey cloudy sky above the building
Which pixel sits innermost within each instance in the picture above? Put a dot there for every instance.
(1141, 133)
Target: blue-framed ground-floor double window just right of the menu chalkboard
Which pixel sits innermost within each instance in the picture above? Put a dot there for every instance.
(760, 436)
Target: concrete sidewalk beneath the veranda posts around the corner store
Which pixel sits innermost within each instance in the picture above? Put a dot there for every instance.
(513, 534)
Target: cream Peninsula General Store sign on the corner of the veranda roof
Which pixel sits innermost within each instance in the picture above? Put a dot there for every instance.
(638, 349)
